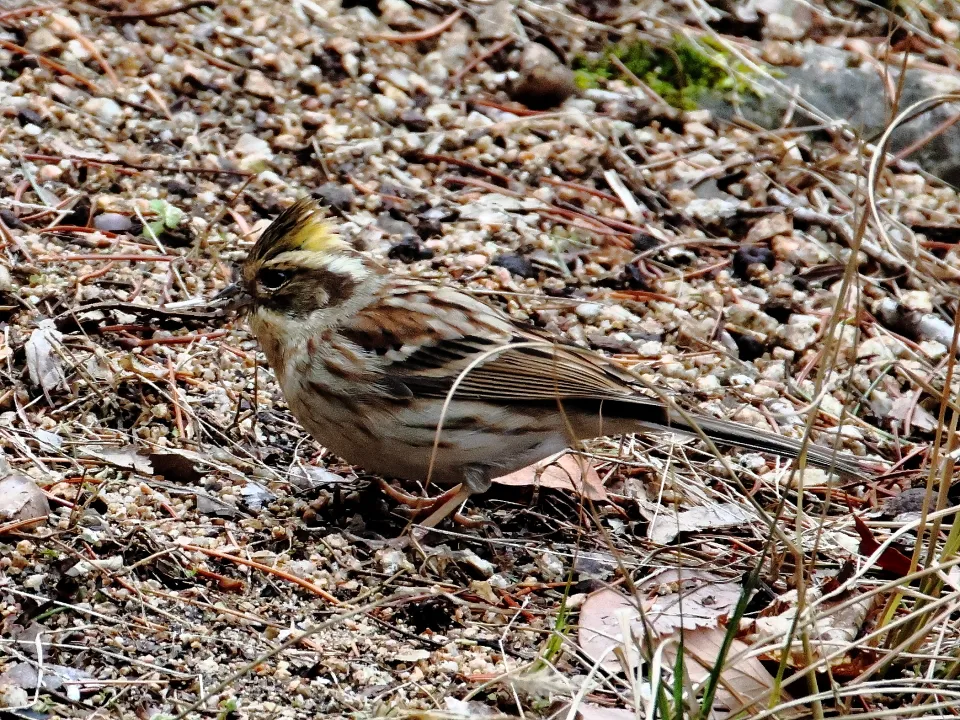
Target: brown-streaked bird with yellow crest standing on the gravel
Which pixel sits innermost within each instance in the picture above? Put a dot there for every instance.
(414, 380)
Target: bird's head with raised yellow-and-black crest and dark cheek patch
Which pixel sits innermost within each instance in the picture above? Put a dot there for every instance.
(299, 268)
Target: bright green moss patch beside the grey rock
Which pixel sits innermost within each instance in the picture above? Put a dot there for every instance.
(679, 73)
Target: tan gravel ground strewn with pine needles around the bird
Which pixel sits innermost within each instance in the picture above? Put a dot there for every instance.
(145, 145)
